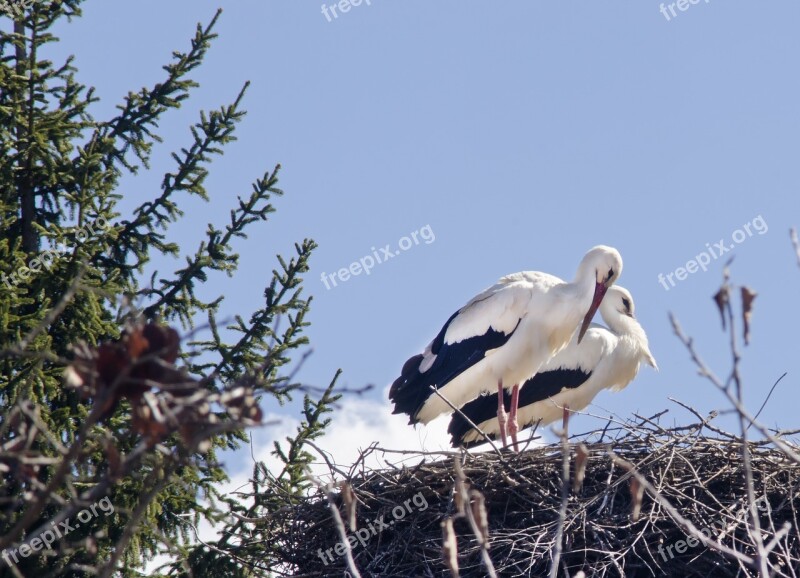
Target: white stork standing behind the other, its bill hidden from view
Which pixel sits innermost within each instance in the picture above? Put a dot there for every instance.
(604, 360)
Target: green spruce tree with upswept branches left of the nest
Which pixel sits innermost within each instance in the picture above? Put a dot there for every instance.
(76, 317)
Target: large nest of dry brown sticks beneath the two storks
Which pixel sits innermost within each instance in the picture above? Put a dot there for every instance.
(652, 501)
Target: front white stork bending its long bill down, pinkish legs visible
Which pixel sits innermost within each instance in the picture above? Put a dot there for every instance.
(501, 337)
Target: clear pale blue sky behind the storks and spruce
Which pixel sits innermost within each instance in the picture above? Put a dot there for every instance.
(522, 133)
